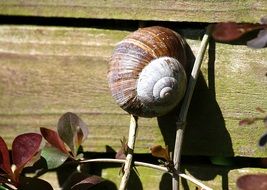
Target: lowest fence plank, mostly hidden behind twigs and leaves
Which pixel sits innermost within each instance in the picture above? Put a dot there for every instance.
(214, 177)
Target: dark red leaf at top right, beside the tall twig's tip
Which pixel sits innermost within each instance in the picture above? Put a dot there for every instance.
(229, 31)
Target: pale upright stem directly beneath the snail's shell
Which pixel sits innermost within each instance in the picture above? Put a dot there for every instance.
(129, 158)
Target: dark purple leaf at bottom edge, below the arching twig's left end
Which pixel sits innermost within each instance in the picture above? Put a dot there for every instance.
(87, 183)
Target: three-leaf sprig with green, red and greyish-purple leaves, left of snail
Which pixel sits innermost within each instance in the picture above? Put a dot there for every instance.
(72, 131)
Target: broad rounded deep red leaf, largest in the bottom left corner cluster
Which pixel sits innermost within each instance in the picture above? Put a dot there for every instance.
(24, 148)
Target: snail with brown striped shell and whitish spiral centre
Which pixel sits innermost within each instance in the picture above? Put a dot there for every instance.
(146, 73)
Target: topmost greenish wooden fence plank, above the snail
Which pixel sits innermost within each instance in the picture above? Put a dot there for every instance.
(190, 11)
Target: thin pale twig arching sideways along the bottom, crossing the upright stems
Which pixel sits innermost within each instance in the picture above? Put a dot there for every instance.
(153, 166)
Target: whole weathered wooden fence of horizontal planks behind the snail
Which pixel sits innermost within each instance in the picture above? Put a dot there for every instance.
(53, 59)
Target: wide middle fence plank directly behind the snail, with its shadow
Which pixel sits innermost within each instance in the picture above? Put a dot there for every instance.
(47, 71)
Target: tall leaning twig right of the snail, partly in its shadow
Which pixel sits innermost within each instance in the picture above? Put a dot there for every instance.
(184, 109)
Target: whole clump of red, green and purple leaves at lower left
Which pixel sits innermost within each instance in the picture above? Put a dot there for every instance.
(61, 146)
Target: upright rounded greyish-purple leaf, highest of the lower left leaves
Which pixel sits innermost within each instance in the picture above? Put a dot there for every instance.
(72, 130)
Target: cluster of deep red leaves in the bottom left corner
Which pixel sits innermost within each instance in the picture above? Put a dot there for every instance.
(25, 151)
